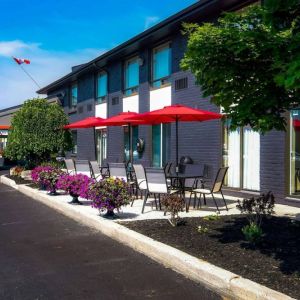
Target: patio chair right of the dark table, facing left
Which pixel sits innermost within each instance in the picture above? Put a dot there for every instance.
(216, 188)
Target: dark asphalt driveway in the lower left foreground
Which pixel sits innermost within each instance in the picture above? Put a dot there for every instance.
(44, 255)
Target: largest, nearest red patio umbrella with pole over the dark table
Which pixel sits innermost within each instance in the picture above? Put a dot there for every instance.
(175, 113)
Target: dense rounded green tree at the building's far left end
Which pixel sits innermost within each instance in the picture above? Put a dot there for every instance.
(37, 132)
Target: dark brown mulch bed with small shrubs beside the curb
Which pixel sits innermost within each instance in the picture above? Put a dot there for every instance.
(275, 262)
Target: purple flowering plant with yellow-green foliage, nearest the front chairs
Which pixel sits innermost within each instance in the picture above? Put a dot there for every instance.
(109, 194)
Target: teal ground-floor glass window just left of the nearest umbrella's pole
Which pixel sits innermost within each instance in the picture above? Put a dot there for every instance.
(161, 144)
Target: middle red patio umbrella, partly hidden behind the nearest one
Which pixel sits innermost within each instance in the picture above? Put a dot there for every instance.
(123, 119)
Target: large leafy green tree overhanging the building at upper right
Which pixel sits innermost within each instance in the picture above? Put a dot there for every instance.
(243, 61)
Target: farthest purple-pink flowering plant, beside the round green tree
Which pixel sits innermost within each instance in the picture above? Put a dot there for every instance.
(46, 176)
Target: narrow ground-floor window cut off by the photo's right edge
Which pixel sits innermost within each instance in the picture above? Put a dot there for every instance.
(295, 153)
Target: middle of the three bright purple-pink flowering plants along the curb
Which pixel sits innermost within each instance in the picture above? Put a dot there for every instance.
(75, 185)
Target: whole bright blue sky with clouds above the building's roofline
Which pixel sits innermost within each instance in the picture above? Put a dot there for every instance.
(55, 35)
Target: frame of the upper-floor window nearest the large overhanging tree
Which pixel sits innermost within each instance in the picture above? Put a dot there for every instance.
(163, 81)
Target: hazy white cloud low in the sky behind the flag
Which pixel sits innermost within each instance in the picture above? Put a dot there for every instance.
(45, 67)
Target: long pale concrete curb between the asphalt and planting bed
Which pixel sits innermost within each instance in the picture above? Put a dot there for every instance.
(223, 282)
